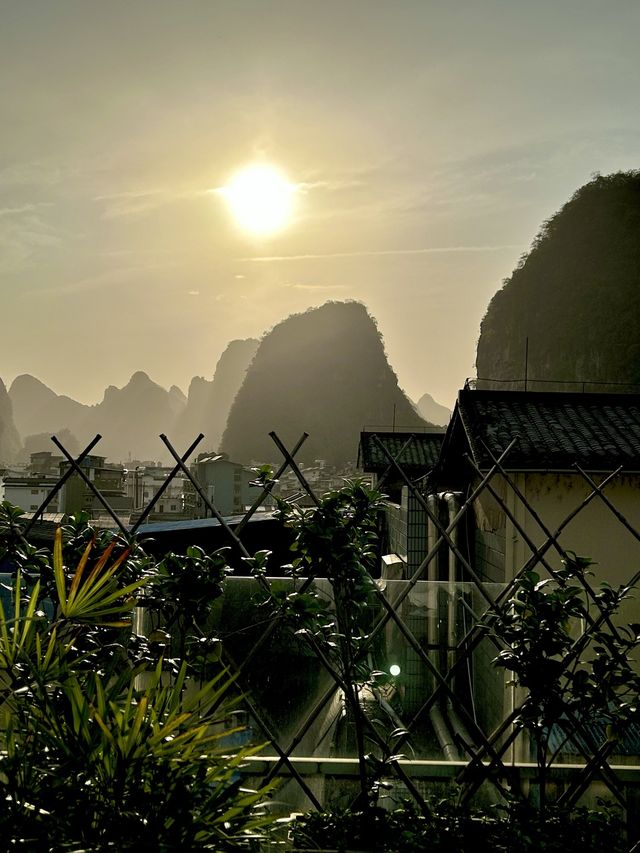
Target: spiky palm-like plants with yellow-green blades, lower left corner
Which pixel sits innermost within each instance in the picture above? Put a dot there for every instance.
(100, 747)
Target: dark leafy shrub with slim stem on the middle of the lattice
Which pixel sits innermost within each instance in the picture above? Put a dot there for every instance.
(336, 540)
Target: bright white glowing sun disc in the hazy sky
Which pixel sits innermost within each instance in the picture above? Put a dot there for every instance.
(261, 199)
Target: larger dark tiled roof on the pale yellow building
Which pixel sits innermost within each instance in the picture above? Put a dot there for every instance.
(553, 430)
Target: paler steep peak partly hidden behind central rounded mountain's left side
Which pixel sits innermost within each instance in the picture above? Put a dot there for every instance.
(208, 403)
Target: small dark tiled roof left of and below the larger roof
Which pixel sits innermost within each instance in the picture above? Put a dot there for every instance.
(419, 456)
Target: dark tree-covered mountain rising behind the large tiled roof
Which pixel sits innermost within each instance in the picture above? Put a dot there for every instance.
(575, 295)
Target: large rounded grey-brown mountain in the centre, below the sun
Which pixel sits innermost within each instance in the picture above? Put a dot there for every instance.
(324, 372)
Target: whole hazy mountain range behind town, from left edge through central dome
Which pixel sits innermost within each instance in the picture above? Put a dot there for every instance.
(324, 372)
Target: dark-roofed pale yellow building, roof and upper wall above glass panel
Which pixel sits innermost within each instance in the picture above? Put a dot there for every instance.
(553, 440)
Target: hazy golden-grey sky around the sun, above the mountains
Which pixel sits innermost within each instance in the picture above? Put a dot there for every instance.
(428, 140)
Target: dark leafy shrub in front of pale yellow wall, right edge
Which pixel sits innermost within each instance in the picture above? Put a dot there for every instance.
(572, 675)
